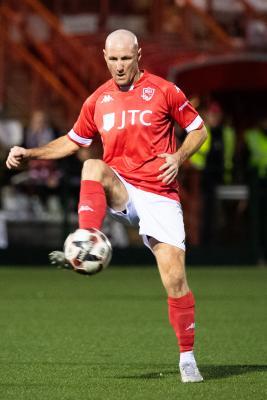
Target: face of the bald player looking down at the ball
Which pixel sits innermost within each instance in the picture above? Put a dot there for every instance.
(122, 61)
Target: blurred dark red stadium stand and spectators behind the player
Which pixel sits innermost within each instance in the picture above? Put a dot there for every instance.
(51, 60)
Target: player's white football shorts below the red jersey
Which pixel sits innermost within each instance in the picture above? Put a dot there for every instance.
(156, 216)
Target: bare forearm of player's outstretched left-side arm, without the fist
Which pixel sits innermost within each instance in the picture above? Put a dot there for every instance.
(58, 148)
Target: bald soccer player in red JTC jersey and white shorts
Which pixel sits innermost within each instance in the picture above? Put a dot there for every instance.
(135, 112)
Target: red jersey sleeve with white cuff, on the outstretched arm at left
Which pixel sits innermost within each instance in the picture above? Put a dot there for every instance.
(84, 129)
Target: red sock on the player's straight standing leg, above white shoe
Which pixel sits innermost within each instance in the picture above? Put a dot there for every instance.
(182, 319)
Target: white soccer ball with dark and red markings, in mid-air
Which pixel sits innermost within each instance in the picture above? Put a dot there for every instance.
(88, 251)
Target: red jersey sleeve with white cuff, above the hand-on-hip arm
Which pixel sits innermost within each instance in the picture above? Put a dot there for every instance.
(182, 111)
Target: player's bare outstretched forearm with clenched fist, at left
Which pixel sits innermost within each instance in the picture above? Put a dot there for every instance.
(58, 148)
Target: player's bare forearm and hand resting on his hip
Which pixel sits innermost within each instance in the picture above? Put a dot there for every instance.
(191, 144)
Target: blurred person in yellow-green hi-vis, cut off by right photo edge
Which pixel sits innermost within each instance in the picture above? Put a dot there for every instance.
(256, 145)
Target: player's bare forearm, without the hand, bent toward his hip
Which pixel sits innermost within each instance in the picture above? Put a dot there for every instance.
(191, 144)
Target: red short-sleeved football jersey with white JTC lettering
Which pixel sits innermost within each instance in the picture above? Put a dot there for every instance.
(136, 126)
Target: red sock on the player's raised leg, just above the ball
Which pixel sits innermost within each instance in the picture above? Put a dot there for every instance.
(92, 205)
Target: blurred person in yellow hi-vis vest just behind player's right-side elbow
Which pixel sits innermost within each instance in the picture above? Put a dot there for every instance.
(214, 162)
